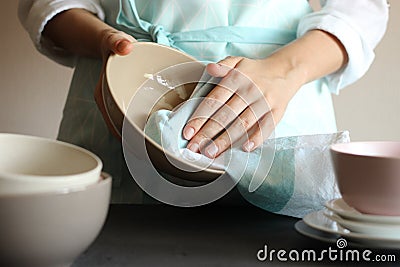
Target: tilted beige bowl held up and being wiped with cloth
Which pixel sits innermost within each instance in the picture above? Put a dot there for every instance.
(128, 91)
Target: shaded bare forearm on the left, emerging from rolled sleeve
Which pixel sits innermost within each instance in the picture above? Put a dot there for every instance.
(77, 31)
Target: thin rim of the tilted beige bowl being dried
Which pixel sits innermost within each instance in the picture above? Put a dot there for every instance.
(141, 131)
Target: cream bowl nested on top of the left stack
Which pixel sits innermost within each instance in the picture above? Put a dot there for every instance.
(31, 164)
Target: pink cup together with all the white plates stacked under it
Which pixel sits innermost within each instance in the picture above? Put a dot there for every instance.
(368, 177)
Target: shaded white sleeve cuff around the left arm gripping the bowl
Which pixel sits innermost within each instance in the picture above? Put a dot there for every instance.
(34, 14)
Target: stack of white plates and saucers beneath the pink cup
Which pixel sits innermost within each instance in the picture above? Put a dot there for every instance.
(341, 220)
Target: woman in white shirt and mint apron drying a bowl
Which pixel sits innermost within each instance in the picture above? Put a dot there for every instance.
(294, 56)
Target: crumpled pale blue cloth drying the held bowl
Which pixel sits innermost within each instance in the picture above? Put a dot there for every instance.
(287, 175)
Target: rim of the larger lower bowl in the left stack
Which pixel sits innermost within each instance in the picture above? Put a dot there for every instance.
(103, 180)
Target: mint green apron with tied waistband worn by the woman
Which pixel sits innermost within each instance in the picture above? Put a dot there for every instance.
(209, 31)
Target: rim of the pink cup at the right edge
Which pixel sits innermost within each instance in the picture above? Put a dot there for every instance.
(339, 148)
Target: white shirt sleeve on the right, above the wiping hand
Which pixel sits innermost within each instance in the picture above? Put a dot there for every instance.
(359, 25)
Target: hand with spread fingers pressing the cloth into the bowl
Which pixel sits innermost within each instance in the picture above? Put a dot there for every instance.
(251, 97)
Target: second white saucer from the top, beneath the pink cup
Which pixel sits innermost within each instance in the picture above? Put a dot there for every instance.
(371, 229)
